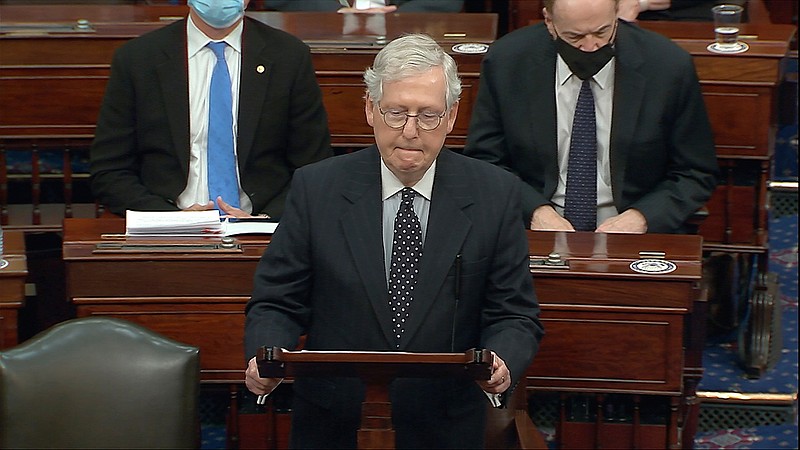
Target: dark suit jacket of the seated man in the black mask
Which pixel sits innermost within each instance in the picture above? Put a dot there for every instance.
(663, 161)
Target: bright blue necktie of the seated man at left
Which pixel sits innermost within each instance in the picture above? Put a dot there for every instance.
(221, 159)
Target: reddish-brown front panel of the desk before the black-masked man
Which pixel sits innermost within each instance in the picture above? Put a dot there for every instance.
(581, 351)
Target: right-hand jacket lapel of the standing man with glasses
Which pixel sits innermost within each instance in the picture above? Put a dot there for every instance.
(447, 229)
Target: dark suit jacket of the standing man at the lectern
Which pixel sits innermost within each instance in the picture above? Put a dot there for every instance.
(323, 276)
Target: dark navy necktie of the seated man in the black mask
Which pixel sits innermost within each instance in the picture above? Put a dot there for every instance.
(580, 203)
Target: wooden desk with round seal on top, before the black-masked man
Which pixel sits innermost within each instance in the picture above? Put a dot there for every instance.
(629, 340)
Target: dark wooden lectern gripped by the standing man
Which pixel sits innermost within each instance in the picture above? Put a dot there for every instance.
(376, 369)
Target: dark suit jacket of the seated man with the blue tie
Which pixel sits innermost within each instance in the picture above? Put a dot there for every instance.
(140, 155)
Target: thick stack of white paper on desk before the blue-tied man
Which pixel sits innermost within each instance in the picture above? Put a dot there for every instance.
(173, 223)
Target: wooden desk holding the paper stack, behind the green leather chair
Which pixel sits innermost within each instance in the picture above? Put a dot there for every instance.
(195, 296)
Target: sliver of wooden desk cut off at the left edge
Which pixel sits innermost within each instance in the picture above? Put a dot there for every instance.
(12, 287)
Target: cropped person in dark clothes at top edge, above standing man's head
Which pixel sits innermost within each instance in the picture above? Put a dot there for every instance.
(365, 6)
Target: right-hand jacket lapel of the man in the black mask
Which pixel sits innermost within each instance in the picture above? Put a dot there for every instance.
(629, 93)
